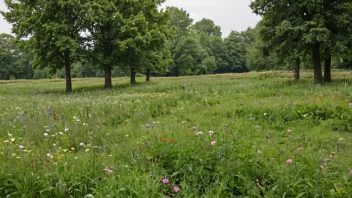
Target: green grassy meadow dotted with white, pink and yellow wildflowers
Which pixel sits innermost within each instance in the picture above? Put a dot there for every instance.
(233, 135)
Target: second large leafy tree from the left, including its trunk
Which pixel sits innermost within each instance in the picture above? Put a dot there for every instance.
(123, 33)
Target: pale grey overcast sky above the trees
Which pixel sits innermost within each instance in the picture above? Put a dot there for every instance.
(228, 14)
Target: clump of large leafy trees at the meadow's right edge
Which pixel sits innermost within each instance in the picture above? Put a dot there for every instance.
(304, 31)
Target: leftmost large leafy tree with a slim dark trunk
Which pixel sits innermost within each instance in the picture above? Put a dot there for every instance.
(53, 33)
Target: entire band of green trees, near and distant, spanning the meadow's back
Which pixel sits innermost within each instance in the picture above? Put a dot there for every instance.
(102, 38)
